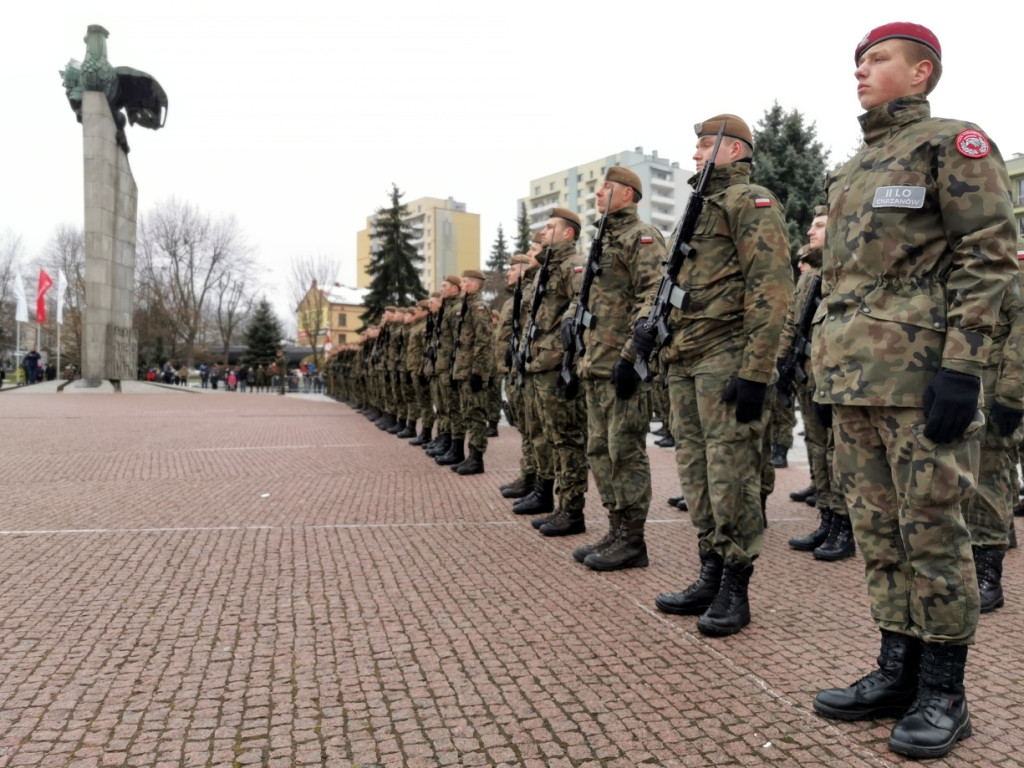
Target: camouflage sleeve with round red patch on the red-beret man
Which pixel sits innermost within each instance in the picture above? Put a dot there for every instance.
(980, 230)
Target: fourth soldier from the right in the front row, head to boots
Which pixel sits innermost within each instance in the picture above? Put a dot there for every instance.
(563, 420)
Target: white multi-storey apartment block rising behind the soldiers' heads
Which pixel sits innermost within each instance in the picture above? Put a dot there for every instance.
(665, 192)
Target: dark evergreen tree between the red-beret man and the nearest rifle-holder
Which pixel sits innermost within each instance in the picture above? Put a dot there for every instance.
(791, 162)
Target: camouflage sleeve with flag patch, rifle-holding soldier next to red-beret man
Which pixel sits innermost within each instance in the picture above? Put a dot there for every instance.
(763, 250)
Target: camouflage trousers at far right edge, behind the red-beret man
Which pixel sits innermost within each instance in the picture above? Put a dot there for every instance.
(990, 514)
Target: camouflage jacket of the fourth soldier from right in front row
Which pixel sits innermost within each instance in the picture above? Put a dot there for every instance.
(566, 276)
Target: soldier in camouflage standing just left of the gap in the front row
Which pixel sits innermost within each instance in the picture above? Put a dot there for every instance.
(475, 363)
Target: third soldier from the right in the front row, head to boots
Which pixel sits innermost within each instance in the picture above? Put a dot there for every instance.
(618, 403)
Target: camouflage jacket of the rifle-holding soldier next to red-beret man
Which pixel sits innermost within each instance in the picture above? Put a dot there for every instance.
(740, 279)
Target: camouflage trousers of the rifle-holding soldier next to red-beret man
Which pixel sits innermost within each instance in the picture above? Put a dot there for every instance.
(720, 461)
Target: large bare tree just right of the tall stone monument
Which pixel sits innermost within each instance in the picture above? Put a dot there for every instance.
(188, 255)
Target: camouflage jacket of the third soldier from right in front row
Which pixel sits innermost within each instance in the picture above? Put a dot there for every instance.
(631, 269)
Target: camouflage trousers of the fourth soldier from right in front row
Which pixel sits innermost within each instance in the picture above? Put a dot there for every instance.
(564, 423)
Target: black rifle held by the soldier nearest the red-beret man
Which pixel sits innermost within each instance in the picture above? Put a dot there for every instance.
(669, 293)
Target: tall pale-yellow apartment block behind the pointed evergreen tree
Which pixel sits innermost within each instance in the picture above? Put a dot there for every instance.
(444, 234)
